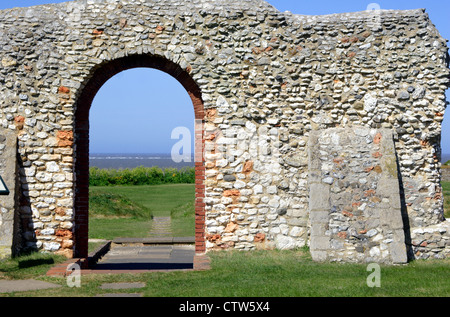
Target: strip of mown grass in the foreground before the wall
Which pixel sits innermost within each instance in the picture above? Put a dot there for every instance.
(273, 274)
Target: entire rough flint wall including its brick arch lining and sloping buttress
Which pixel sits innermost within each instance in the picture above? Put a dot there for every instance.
(312, 130)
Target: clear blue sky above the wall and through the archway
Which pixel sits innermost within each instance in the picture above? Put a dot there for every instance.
(136, 111)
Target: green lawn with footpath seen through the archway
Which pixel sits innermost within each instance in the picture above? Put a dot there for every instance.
(128, 212)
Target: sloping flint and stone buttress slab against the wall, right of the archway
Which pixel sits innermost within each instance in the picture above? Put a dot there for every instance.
(354, 204)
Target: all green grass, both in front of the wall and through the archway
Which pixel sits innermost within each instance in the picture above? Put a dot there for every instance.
(272, 273)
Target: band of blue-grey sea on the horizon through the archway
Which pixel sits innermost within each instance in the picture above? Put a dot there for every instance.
(127, 160)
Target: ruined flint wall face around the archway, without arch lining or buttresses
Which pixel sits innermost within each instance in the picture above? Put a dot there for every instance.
(267, 81)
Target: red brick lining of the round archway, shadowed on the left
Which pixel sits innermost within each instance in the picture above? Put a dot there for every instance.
(86, 95)
